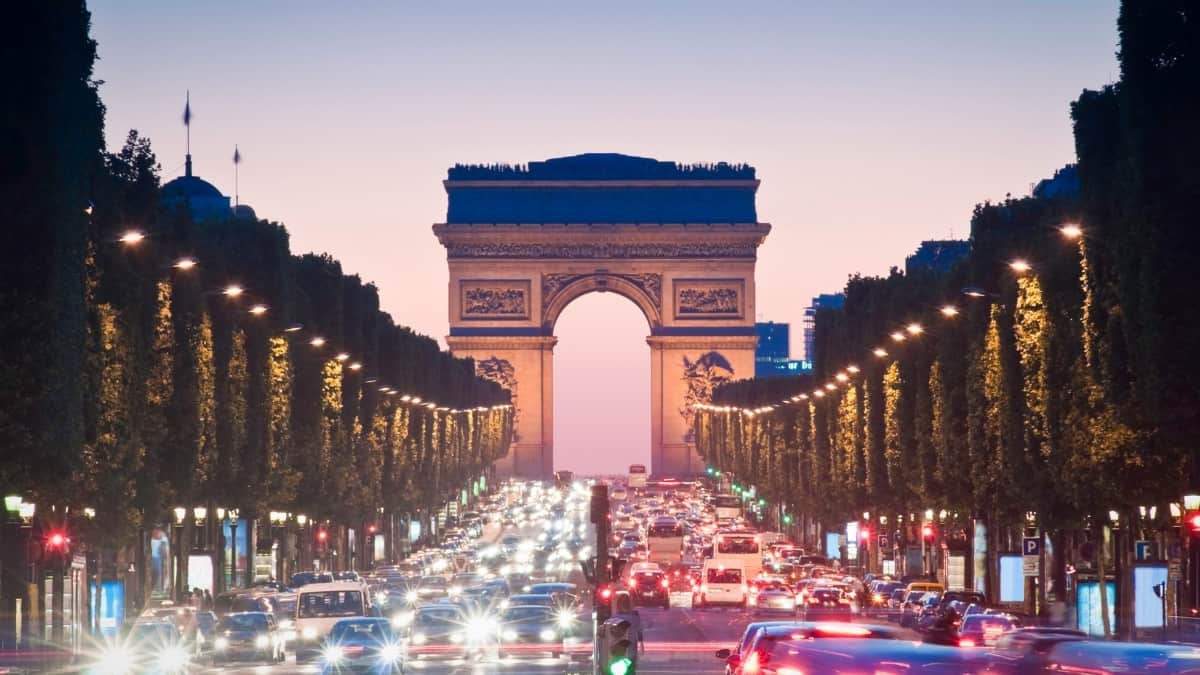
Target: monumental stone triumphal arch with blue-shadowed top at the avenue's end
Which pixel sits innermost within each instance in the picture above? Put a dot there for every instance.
(680, 242)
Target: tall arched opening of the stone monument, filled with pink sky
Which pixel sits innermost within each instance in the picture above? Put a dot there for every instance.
(602, 395)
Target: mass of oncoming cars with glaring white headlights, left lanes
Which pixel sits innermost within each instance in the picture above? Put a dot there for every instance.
(467, 599)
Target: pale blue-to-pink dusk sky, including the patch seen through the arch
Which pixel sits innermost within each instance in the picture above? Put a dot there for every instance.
(873, 127)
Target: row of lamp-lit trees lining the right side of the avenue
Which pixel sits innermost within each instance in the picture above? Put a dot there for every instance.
(1051, 381)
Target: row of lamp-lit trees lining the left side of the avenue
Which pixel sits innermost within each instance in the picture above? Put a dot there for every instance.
(196, 365)
